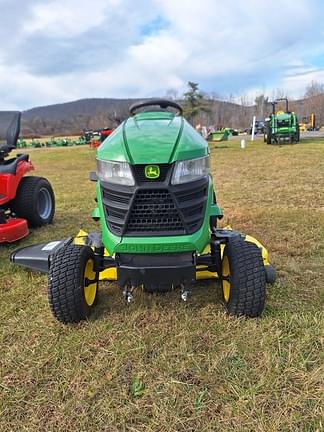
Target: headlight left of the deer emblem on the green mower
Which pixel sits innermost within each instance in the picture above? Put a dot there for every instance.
(115, 172)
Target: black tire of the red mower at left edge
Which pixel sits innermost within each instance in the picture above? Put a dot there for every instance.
(34, 201)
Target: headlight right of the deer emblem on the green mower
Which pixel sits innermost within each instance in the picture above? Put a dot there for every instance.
(190, 170)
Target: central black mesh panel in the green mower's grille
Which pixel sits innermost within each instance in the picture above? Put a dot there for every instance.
(154, 210)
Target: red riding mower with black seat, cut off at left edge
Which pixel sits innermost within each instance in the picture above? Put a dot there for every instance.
(24, 201)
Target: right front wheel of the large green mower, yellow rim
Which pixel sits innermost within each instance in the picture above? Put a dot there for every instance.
(246, 277)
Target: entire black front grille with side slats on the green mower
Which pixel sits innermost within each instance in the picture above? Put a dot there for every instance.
(141, 211)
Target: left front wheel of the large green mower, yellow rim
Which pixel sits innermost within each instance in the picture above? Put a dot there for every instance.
(68, 282)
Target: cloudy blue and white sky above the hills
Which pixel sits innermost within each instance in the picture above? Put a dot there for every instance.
(61, 50)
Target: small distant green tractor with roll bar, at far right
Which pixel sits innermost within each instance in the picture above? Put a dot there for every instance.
(282, 126)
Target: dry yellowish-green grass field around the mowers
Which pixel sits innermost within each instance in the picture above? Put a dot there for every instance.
(161, 365)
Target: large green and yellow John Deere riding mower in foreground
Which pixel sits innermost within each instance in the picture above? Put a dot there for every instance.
(158, 214)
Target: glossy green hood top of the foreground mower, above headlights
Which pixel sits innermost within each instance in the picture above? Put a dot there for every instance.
(153, 137)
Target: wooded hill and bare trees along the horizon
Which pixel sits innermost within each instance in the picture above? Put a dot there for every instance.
(199, 108)
